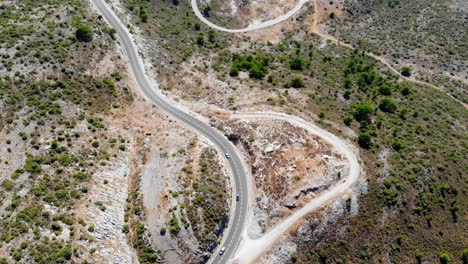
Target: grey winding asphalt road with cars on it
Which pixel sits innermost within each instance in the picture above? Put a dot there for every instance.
(236, 224)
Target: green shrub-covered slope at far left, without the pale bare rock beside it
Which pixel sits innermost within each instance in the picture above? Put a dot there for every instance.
(46, 100)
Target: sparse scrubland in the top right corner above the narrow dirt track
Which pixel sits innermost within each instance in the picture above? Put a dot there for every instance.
(427, 47)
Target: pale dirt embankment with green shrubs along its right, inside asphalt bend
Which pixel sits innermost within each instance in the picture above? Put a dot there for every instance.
(185, 194)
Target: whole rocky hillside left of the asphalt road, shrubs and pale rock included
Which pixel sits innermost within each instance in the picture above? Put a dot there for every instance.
(64, 155)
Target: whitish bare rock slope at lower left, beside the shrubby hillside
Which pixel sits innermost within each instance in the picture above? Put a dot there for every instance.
(108, 239)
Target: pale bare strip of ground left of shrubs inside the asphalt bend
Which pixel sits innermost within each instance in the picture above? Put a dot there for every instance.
(160, 177)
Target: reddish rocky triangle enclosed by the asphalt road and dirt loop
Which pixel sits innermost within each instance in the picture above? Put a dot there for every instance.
(289, 165)
